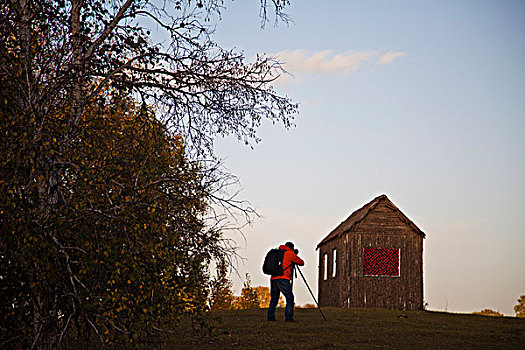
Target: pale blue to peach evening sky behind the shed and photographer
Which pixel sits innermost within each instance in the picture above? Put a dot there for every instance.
(423, 101)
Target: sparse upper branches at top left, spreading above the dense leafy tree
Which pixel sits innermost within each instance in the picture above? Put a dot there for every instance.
(67, 53)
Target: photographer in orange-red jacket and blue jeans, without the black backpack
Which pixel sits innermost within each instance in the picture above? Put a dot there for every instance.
(282, 284)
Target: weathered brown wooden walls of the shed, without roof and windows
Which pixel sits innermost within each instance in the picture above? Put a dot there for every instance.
(383, 227)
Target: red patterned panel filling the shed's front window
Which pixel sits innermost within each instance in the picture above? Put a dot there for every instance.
(381, 261)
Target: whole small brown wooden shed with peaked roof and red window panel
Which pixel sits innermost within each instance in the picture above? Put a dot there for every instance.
(373, 259)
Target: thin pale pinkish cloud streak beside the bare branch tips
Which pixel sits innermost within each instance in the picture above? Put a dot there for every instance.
(328, 62)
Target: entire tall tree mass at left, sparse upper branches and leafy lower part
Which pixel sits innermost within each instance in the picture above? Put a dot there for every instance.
(106, 182)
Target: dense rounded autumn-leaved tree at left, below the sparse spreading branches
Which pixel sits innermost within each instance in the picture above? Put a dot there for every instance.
(123, 252)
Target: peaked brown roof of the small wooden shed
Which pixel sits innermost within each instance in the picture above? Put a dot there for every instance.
(358, 215)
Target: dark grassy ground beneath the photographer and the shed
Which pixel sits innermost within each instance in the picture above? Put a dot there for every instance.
(358, 329)
